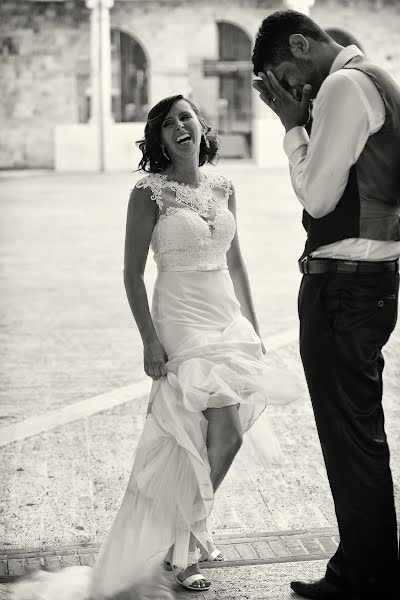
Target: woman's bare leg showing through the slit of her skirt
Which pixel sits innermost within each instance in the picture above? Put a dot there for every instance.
(224, 439)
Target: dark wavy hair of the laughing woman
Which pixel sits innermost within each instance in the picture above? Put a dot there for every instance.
(153, 159)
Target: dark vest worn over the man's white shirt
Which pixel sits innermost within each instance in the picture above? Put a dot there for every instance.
(370, 205)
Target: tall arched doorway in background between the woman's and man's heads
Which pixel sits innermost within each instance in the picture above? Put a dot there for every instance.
(235, 100)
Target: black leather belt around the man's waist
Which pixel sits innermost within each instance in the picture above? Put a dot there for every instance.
(315, 266)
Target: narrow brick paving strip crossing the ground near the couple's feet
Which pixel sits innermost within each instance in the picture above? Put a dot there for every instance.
(257, 549)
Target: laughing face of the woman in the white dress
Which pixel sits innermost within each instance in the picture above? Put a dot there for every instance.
(181, 131)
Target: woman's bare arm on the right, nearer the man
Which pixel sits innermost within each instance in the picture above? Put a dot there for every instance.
(238, 273)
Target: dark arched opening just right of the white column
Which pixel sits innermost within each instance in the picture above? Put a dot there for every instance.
(129, 78)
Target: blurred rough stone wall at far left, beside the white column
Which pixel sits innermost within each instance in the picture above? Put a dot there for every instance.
(41, 45)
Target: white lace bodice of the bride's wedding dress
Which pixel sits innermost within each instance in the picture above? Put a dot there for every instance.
(194, 228)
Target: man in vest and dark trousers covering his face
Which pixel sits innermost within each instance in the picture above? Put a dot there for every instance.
(347, 177)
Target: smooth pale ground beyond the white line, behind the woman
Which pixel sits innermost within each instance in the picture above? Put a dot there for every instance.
(63, 299)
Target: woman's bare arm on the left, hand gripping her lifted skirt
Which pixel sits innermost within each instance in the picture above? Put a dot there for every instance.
(141, 217)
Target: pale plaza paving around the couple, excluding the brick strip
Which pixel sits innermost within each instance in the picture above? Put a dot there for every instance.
(67, 335)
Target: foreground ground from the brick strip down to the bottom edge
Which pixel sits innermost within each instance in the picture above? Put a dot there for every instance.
(258, 566)
